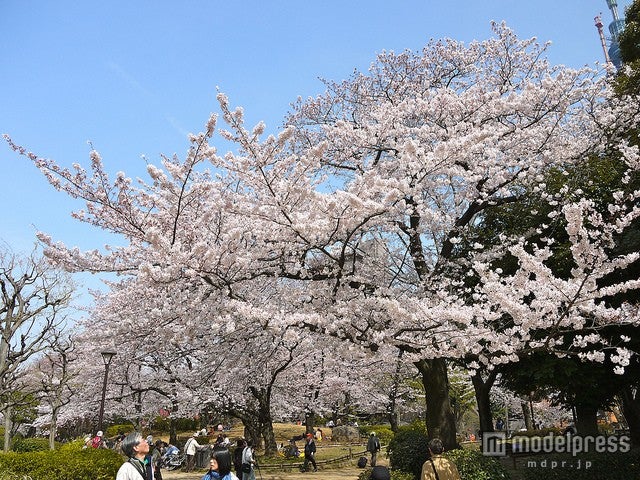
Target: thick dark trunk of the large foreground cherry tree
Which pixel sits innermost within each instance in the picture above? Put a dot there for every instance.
(441, 422)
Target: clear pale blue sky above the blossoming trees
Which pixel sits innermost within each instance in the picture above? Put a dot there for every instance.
(134, 77)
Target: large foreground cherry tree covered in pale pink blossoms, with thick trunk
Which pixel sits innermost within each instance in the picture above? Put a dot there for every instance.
(346, 223)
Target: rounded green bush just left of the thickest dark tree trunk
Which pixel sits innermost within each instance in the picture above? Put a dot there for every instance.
(408, 449)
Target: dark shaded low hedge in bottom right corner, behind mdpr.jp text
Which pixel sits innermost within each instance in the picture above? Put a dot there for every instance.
(612, 466)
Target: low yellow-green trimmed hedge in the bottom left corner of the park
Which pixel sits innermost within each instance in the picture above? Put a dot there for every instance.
(67, 464)
